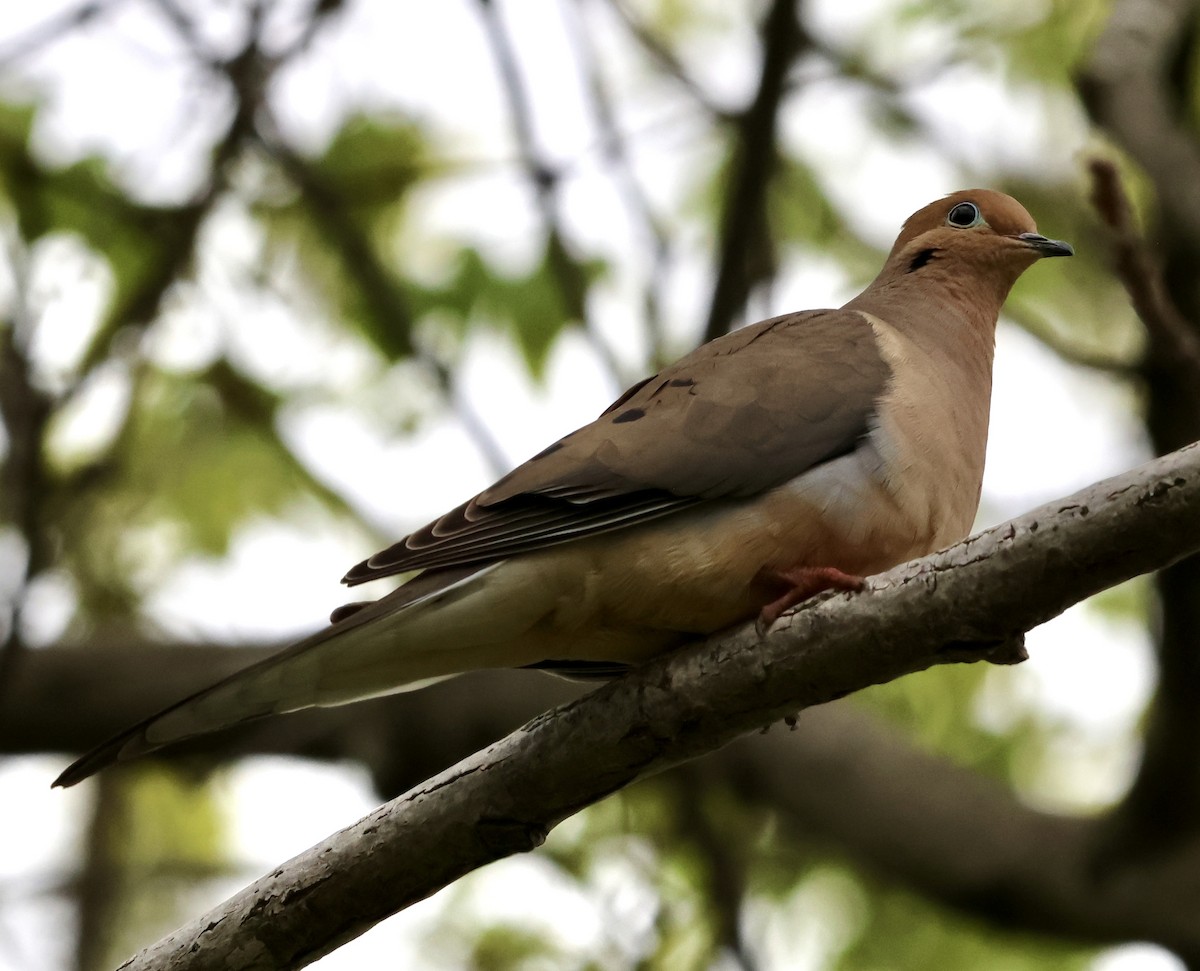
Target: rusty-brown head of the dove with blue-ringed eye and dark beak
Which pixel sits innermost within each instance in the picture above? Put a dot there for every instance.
(967, 250)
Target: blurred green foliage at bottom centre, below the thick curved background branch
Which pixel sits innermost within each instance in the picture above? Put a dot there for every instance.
(813, 902)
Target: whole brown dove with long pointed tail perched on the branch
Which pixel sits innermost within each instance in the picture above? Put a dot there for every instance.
(793, 457)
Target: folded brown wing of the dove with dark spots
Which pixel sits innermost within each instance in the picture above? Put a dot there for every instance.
(735, 418)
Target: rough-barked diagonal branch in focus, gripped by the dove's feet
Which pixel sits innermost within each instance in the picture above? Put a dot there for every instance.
(953, 606)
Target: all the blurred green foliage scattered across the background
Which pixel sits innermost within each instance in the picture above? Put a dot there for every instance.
(196, 452)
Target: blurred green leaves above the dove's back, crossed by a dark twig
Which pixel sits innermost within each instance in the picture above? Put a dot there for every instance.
(347, 223)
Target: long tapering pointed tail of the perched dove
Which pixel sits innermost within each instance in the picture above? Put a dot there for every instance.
(297, 678)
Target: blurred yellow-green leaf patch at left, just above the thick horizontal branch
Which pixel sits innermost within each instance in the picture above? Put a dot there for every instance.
(199, 457)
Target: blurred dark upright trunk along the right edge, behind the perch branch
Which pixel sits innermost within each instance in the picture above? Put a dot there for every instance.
(1135, 89)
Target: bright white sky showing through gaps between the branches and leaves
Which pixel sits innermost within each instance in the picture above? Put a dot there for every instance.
(118, 88)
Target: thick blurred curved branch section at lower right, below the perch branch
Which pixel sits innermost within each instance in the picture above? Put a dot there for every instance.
(961, 838)
